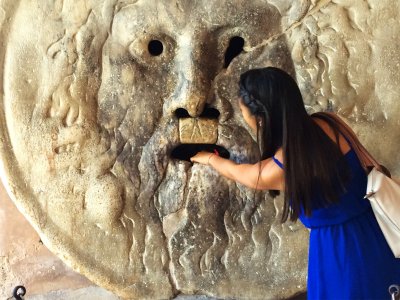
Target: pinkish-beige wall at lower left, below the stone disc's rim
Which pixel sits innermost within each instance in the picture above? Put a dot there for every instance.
(25, 260)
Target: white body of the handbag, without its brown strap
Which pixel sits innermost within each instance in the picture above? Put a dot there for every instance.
(384, 194)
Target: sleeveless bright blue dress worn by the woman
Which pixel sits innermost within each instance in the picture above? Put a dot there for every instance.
(349, 257)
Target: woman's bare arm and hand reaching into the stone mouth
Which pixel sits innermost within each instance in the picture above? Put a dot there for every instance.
(270, 178)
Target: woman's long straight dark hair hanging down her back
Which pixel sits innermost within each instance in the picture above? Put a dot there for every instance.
(311, 158)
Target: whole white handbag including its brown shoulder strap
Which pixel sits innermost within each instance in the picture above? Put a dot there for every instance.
(382, 191)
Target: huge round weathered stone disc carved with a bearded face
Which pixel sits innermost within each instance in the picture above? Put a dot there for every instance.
(89, 121)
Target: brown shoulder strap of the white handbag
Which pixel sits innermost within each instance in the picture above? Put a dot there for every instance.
(366, 159)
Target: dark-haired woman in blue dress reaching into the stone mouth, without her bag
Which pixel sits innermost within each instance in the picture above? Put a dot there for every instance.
(324, 185)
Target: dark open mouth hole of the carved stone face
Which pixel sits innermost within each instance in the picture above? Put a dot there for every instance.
(186, 151)
